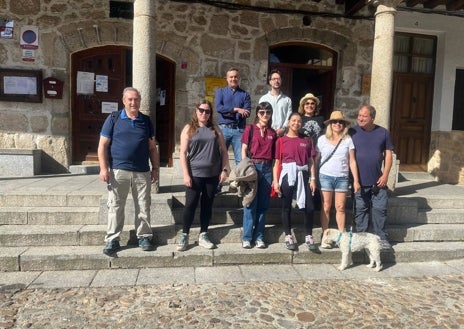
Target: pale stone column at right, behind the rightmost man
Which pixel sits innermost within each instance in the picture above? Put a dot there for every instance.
(382, 60)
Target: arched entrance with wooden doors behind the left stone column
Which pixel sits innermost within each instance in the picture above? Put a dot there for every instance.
(91, 106)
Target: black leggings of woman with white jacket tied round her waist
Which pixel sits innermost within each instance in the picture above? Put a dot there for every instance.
(287, 197)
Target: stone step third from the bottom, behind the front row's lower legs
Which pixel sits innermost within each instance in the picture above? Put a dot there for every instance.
(163, 214)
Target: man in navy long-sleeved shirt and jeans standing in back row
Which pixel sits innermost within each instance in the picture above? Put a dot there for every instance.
(233, 105)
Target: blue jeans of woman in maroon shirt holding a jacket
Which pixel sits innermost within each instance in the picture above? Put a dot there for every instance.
(254, 216)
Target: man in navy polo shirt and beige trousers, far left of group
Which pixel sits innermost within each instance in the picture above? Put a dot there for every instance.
(127, 145)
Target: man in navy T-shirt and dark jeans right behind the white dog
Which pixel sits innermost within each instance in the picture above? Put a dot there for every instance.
(374, 156)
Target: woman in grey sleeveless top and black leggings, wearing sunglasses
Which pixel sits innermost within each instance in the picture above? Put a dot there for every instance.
(205, 163)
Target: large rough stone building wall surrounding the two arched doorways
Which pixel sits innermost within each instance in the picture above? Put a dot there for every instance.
(209, 39)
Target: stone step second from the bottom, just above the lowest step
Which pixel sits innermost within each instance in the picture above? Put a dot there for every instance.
(81, 235)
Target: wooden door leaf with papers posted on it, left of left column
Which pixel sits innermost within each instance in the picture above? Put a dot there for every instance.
(87, 117)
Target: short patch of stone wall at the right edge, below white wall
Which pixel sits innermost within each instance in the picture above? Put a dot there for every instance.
(446, 157)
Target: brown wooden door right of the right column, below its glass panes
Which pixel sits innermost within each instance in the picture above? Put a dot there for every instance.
(411, 117)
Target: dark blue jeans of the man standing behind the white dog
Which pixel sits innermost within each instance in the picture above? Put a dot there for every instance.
(371, 211)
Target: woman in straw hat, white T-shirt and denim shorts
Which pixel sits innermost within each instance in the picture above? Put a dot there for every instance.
(336, 158)
